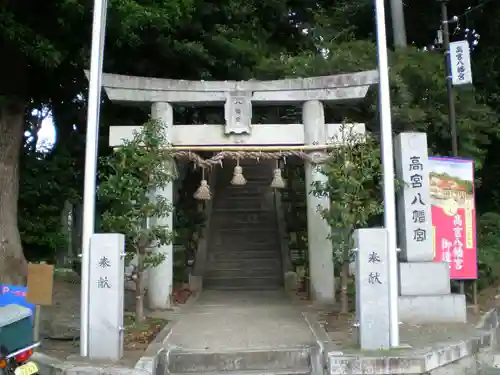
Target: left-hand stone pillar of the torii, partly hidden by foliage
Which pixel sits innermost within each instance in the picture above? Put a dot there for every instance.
(160, 280)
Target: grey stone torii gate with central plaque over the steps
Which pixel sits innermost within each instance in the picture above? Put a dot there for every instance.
(238, 130)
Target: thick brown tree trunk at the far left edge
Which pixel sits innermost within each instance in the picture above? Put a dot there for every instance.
(13, 265)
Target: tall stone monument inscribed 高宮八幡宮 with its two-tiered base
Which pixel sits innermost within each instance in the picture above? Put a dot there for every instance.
(424, 284)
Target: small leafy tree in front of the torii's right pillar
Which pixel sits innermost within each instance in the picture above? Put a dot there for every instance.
(354, 172)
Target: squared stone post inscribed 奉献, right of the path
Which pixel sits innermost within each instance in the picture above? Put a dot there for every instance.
(372, 288)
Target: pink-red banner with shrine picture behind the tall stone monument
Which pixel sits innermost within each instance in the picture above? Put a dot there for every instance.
(454, 215)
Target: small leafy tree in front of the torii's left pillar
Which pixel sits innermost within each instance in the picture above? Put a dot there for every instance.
(134, 172)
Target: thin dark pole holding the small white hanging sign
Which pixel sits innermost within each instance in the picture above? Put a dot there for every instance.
(449, 90)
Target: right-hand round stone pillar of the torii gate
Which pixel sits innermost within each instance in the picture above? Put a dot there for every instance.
(322, 279)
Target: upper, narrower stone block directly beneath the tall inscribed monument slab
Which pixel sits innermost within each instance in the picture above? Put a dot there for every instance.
(424, 278)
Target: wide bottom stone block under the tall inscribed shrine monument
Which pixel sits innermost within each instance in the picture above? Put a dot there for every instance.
(449, 308)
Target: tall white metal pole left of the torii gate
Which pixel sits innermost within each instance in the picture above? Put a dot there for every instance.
(91, 146)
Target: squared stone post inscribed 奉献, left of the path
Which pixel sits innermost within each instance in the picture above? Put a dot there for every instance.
(106, 296)
